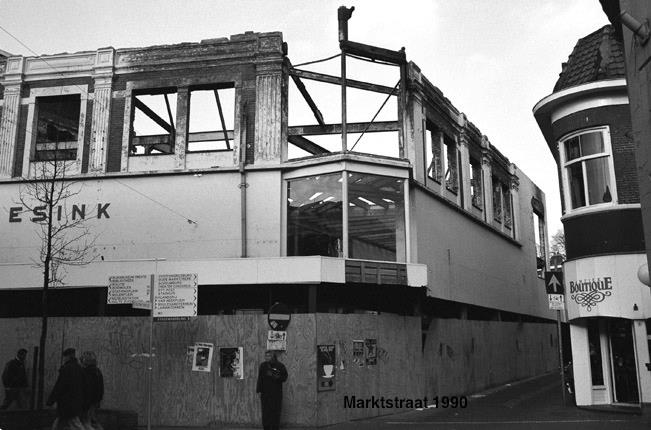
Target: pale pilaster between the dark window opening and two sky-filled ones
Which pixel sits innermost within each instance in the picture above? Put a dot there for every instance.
(99, 141)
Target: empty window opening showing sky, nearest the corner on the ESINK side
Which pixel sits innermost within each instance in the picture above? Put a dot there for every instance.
(211, 119)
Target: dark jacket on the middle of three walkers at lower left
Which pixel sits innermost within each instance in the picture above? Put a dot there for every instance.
(68, 391)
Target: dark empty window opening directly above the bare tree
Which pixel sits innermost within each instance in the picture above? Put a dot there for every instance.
(57, 127)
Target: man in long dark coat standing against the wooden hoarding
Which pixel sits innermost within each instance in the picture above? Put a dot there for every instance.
(271, 375)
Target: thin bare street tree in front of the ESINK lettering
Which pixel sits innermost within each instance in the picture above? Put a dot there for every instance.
(65, 238)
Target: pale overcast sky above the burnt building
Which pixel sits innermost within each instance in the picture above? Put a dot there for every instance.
(493, 59)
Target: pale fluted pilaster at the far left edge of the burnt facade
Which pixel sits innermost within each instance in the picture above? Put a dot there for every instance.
(10, 115)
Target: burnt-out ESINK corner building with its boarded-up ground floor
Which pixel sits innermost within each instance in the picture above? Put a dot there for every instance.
(184, 162)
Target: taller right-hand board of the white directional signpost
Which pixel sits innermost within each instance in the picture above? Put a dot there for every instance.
(176, 295)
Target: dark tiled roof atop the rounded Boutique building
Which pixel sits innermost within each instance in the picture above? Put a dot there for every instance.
(596, 57)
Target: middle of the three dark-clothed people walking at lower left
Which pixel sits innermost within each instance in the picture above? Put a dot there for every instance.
(68, 393)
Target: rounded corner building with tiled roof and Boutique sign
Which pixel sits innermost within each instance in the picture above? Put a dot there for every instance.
(586, 122)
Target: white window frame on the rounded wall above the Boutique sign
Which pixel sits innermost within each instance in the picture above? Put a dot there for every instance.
(608, 153)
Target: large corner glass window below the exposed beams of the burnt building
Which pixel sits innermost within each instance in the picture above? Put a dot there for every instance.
(371, 228)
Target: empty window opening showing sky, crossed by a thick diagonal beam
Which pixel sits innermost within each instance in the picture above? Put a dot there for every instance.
(152, 127)
